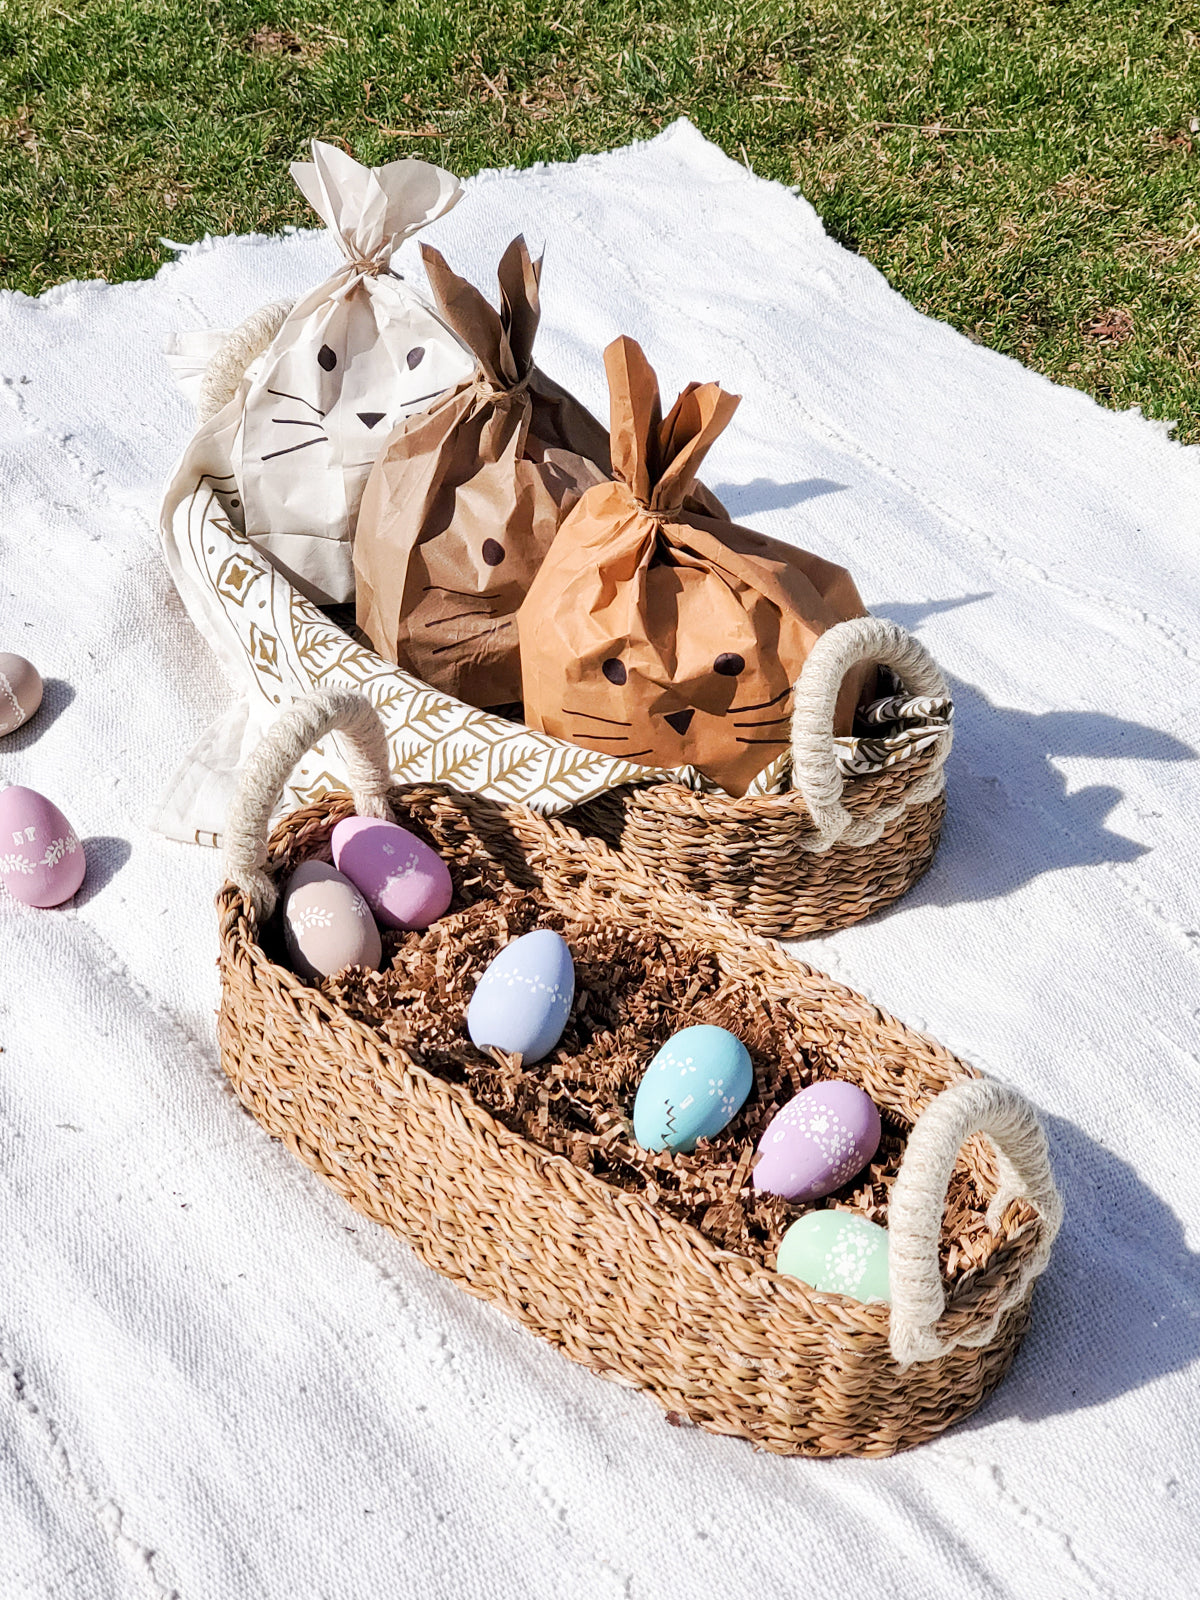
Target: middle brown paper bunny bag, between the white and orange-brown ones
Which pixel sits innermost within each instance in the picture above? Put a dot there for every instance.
(466, 498)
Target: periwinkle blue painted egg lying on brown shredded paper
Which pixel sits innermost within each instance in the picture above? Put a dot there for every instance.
(524, 999)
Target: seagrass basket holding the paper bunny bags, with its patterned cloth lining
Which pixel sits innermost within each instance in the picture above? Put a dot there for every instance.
(830, 850)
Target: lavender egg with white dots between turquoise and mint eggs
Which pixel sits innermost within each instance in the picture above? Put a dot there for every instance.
(818, 1142)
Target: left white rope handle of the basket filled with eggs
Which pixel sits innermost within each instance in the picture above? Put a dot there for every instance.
(306, 722)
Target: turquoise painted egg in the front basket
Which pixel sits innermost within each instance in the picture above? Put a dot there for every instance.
(694, 1089)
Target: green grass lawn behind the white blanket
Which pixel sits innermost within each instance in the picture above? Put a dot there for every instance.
(1023, 170)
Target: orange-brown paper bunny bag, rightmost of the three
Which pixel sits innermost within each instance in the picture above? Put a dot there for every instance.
(665, 636)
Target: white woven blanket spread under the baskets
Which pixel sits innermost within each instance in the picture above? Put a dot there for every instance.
(215, 1380)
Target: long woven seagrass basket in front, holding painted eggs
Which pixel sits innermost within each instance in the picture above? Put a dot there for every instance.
(607, 1276)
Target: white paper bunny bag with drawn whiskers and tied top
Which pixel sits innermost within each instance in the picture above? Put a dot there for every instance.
(350, 359)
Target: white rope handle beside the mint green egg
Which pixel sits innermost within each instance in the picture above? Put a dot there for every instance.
(919, 1201)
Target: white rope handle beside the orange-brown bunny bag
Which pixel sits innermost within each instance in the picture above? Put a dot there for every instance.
(815, 770)
